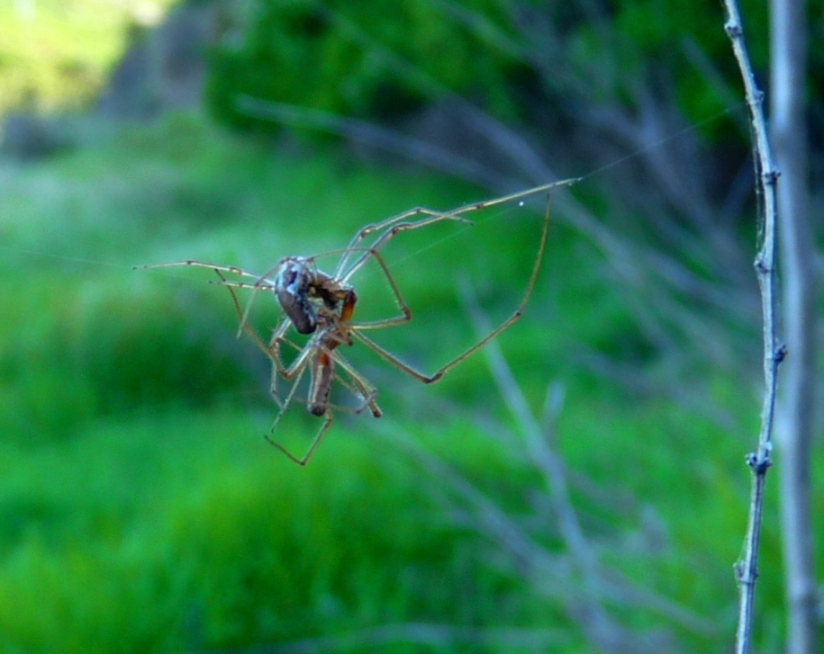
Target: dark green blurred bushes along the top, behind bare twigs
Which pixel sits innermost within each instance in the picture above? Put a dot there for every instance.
(382, 59)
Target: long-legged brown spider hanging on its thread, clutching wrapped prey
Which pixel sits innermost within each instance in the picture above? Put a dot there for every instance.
(322, 305)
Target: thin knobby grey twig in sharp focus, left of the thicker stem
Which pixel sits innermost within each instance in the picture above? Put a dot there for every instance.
(746, 568)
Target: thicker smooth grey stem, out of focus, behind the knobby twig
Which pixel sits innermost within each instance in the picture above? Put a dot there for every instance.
(794, 427)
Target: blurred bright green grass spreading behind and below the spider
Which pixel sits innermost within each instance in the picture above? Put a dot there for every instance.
(140, 508)
